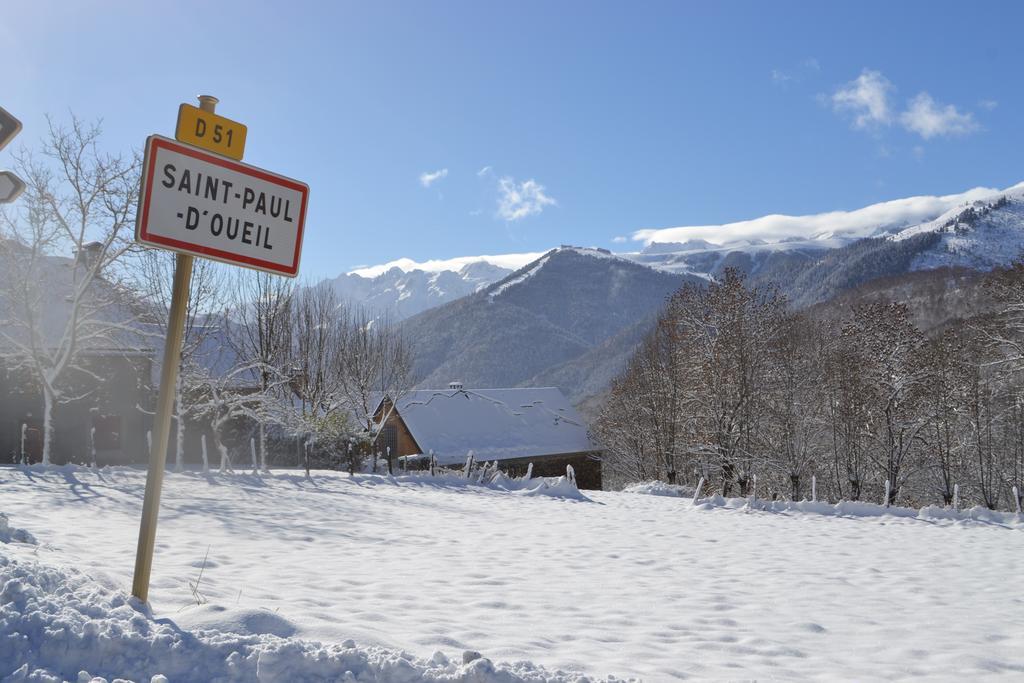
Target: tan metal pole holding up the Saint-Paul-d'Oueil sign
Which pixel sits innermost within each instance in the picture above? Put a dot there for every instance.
(165, 407)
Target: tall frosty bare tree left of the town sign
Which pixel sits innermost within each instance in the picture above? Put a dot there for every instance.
(79, 204)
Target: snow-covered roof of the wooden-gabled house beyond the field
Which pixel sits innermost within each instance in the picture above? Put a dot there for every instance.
(495, 424)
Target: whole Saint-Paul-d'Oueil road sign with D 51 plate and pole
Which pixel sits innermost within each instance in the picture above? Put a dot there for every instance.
(202, 204)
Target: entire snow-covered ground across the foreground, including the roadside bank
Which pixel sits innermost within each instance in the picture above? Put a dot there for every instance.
(381, 571)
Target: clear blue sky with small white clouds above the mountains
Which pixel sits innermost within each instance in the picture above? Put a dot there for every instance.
(441, 130)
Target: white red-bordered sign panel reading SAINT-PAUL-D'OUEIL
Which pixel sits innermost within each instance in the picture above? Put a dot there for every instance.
(202, 204)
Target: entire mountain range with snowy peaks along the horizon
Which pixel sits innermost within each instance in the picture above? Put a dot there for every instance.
(572, 317)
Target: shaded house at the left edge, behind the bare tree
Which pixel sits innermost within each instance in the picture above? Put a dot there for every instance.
(105, 385)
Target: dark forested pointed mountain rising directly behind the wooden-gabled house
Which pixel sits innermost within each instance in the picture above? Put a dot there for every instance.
(553, 312)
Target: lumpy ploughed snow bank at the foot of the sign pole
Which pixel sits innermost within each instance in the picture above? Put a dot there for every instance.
(59, 624)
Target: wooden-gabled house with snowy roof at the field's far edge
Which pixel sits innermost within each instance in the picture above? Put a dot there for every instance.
(516, 428)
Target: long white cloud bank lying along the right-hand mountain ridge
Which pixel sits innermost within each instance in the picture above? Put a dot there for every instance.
(848, 225)
